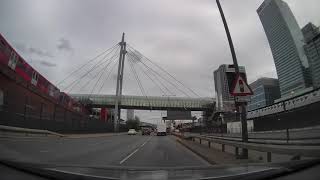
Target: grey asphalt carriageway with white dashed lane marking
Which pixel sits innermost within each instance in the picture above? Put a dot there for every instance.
(120, 150)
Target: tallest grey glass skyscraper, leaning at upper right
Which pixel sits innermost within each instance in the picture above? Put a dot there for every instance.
(286, 43)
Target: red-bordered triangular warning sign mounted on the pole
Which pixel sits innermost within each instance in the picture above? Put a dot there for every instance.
(240, 87)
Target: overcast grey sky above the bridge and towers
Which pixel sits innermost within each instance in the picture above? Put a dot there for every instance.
(186, 37)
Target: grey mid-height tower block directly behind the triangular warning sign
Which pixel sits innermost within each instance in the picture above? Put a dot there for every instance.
(222, 85)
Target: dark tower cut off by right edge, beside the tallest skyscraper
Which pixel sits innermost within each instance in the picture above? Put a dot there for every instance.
(311, 34)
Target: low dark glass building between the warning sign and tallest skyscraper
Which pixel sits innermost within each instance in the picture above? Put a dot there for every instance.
(265, 91)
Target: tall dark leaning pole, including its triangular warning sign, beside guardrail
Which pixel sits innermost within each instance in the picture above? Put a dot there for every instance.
(240, 88)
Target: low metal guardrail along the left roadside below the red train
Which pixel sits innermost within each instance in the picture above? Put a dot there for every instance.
(28, 131)
